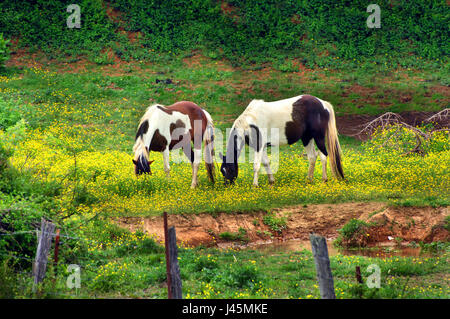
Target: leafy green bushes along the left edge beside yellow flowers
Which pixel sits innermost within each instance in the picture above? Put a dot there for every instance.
(23, 199)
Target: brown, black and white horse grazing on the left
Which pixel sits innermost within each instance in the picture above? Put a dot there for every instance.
(166, 128)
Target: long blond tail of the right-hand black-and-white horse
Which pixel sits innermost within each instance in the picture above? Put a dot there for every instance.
(333, 146)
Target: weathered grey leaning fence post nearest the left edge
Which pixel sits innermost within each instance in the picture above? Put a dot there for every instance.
(43, 248)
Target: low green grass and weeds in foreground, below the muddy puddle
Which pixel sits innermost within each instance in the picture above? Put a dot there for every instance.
(226, 273)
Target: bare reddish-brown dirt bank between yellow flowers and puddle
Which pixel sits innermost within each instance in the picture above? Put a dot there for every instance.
(409, 223)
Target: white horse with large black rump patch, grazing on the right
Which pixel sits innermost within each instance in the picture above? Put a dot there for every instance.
(305, 117)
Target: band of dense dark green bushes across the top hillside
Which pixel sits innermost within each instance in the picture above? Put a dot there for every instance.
(315, 31)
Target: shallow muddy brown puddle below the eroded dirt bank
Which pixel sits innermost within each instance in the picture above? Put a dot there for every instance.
(381, 250)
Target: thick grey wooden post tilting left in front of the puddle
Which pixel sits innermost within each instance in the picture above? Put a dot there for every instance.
(322, 261)
